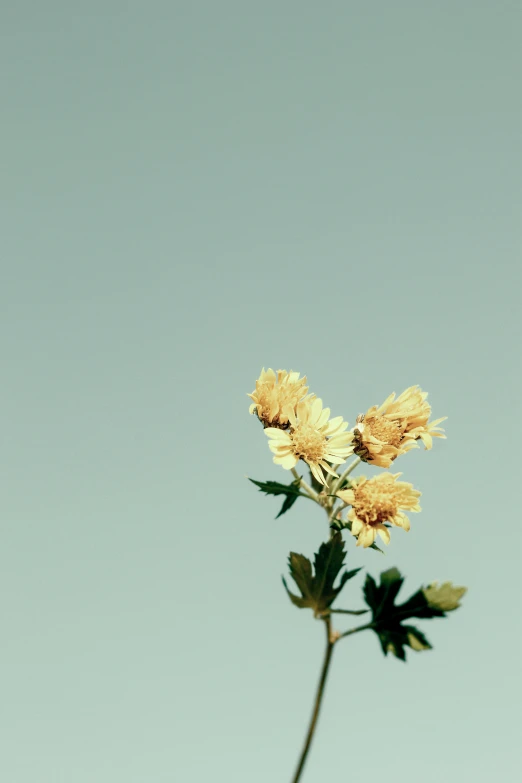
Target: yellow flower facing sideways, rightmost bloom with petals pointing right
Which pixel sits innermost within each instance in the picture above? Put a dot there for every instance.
(386, 431)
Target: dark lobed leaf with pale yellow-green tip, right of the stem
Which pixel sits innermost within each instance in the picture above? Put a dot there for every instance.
(388, 617)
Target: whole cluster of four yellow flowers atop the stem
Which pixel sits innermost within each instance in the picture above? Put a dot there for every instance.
(300, 428)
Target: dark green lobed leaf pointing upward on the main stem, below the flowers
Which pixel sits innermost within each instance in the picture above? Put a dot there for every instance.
(317, 589)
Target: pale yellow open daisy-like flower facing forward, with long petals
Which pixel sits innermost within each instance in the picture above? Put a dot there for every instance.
(312, 437)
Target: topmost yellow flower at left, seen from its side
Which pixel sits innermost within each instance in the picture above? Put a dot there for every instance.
(275, 396)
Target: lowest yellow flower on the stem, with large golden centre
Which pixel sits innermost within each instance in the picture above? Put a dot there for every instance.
(376, 501)
